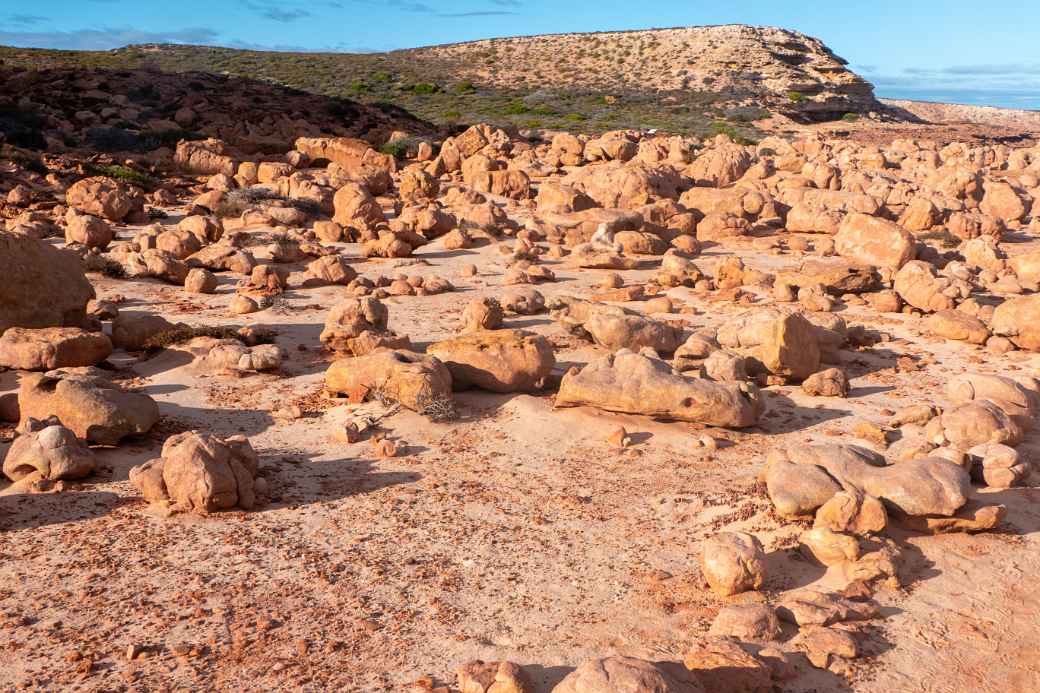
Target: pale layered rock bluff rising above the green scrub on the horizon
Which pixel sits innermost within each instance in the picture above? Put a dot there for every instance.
(783, 70)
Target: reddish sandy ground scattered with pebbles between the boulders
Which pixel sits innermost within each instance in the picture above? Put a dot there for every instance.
(516, 532)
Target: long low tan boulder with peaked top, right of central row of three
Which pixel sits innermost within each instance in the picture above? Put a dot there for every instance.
(632, 383)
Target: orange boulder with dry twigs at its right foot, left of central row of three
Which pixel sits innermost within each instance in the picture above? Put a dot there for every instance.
(414, 380)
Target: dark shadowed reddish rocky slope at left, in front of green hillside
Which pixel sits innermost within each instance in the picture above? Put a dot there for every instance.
(110, 111)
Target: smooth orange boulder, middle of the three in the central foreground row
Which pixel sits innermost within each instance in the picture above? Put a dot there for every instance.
(497, 361)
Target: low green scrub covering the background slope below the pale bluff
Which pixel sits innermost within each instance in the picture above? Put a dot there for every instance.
(427, 89)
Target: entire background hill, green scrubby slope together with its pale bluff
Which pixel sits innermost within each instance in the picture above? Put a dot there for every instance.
(695, 81)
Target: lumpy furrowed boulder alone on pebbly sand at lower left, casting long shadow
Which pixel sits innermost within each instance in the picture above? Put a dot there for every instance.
(202, 473)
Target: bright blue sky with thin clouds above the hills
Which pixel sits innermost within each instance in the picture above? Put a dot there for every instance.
(949, 50)
